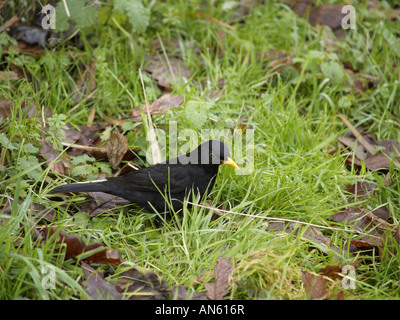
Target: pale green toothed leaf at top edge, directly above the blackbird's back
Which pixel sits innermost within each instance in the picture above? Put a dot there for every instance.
(137, 14)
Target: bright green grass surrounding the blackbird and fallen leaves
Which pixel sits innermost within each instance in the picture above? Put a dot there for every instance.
(294, 176)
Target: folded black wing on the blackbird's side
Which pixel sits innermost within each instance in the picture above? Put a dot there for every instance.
(156, 177)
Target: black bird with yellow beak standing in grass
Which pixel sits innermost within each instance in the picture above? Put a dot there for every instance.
(176, 178)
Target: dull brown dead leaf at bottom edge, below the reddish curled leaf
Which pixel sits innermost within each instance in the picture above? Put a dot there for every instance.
(97, 287)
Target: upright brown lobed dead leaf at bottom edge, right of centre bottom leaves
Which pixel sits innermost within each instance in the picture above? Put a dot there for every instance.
(222, 271)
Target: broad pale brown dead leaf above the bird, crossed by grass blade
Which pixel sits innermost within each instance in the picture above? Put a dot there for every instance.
(168, 71)
